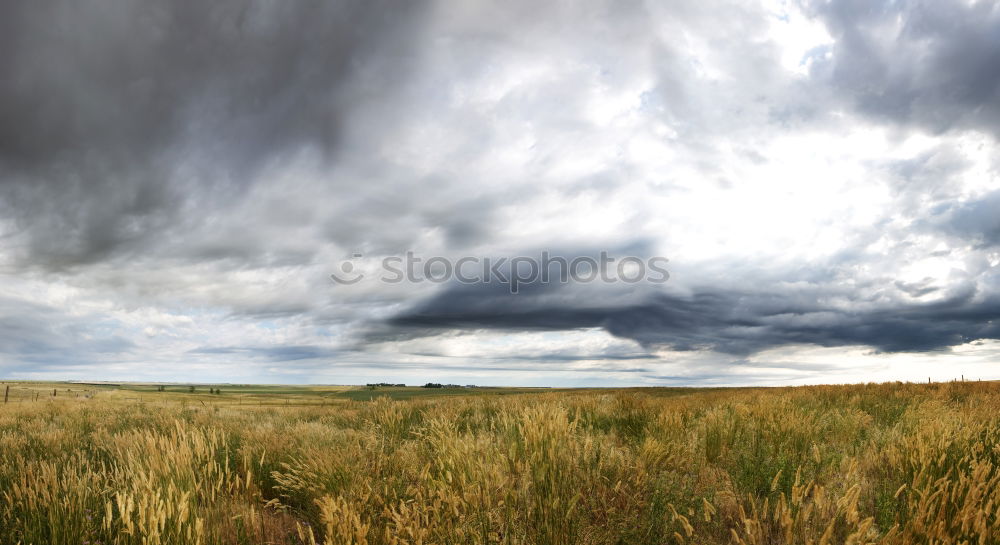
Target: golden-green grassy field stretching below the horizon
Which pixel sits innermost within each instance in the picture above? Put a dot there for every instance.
(127, 464)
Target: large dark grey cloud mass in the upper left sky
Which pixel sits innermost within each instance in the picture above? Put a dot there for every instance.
(121, 120)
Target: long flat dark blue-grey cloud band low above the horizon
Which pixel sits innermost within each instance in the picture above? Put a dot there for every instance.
(732, 321)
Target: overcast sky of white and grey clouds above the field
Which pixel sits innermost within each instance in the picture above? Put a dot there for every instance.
(178, 180)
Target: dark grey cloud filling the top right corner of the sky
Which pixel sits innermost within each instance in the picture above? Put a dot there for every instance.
(931, 65)
